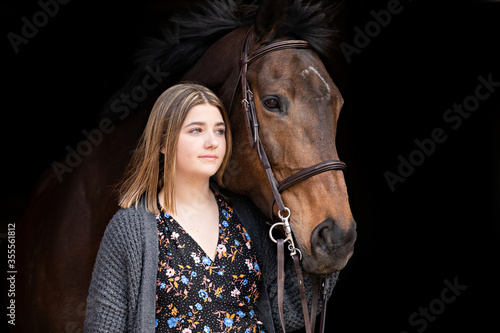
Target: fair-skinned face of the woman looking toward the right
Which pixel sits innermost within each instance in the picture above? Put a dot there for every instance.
(202, 143)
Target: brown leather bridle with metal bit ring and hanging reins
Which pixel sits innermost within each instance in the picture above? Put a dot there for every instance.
(252, 126)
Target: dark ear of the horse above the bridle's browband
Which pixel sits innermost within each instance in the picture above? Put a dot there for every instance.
(270, 16)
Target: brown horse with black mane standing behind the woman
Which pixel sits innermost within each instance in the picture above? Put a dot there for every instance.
(296, 103)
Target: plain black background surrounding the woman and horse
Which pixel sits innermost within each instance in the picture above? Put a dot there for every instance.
(441, 223)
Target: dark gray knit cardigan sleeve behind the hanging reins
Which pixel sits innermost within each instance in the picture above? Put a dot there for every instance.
(255, 221)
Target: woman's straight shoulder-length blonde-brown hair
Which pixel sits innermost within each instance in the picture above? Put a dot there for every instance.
(149, 170)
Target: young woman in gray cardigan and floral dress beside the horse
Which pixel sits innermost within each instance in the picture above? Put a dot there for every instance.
(177, 257)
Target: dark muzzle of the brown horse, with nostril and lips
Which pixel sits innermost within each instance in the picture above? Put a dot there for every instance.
(331, 248)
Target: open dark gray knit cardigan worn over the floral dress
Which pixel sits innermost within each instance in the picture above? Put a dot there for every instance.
(122, 292)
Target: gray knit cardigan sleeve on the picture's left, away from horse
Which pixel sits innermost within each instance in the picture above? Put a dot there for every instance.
(114, 289)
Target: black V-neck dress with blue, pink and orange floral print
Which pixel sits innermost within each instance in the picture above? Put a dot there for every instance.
(196, 294)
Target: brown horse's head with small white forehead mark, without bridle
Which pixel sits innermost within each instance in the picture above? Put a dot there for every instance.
(297, 106)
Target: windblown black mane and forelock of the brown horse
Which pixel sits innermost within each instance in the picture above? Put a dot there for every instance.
(186, 36)
